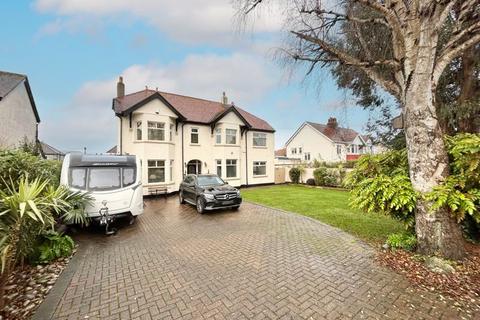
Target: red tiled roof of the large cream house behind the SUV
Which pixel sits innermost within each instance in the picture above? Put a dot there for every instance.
(192, 109)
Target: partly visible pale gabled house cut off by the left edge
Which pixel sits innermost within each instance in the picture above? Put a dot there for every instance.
(18, 114)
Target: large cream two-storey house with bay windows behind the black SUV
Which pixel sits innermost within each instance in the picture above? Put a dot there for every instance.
(176, 135)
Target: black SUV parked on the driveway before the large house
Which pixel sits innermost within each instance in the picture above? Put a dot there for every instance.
(208, 192)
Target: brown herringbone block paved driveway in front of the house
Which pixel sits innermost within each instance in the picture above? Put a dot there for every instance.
(256, 263)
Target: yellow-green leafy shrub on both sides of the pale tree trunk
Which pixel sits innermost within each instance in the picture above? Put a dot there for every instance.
(380, 183)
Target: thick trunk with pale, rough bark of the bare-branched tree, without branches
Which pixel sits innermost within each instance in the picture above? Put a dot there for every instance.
(437, 231)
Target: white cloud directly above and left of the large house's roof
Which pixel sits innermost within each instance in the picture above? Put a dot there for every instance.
(88, 120)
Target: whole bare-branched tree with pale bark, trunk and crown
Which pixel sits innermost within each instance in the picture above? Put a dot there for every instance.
(410, 68)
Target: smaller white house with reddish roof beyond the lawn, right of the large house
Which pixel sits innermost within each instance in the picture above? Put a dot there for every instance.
(327, 142)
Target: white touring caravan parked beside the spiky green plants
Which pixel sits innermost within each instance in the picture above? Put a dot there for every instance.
(114, 181)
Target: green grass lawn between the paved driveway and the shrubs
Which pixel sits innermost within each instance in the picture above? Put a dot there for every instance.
(329, 206)
